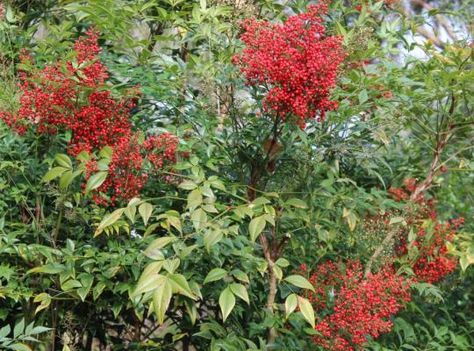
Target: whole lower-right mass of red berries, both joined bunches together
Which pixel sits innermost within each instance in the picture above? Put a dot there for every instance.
(354, 307)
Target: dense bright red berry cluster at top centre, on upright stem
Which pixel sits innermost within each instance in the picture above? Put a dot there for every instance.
(295, 61)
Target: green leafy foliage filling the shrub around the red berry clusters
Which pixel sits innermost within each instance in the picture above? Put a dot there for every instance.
(186, 265)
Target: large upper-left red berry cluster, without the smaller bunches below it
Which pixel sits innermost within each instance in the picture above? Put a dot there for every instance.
(71, 96)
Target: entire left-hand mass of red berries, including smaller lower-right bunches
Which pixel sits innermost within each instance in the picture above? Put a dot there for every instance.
(73, 96)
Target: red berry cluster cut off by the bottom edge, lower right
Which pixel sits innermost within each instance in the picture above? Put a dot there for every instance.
(355, 307)
